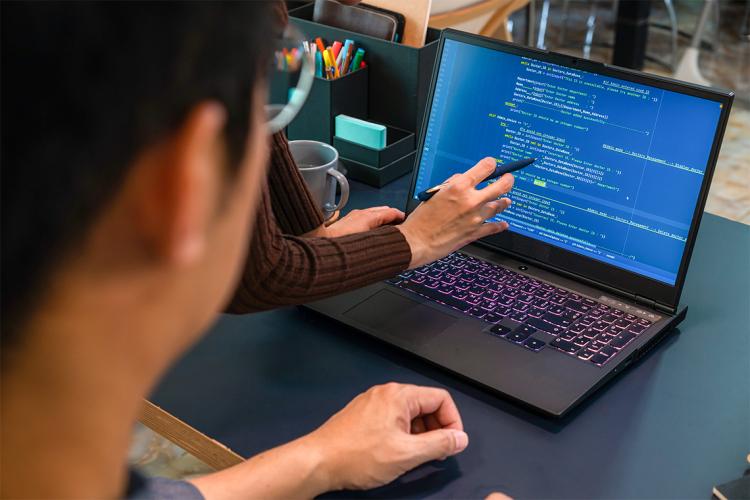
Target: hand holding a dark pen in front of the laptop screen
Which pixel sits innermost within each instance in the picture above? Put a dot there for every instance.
(455, 216)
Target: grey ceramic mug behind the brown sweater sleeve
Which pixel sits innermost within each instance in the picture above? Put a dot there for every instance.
(318, 164)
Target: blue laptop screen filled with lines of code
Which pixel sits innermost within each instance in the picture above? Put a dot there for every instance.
(619, 164)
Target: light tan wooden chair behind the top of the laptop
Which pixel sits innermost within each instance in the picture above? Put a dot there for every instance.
(496, 11)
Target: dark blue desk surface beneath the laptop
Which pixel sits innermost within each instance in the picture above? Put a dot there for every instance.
(673, 426)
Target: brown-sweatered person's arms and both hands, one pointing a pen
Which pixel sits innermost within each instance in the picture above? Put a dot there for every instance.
(294, 258)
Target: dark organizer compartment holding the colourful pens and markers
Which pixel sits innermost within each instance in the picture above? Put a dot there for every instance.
(328, 98)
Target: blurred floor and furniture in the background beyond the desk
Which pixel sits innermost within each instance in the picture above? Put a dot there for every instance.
(701, 41)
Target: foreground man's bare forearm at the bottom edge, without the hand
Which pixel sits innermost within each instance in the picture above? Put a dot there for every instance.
(293, 470)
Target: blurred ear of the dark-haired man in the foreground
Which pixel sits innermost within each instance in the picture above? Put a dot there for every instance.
(180, 186)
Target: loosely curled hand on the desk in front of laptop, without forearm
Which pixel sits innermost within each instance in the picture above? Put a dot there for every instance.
(385, 432)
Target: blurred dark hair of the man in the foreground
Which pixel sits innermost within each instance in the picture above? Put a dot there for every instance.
(85, 88)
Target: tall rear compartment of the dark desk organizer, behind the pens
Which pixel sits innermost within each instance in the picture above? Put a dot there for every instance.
(399, 74)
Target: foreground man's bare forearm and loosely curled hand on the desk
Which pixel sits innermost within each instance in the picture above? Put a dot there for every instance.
(381, 434)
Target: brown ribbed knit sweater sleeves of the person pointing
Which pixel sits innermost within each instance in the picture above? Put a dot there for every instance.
(284, 268)
